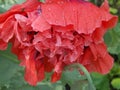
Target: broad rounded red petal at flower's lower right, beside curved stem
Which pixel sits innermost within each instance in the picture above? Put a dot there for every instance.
(97, 59)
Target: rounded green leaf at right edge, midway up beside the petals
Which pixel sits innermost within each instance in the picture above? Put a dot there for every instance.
(112, 39)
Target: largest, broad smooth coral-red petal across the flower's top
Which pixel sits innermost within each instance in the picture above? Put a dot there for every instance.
(77, 14)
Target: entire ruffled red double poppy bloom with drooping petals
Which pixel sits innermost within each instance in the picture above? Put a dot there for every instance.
(48, 36)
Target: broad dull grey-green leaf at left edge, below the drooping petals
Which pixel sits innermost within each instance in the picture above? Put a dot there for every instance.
(8, 66)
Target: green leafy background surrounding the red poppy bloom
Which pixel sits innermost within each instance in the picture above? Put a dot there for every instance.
(11, 74)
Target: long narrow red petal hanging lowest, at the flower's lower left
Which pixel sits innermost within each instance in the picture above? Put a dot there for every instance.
(30, 69)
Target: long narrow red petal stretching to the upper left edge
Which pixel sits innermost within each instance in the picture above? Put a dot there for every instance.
(28, 6)
